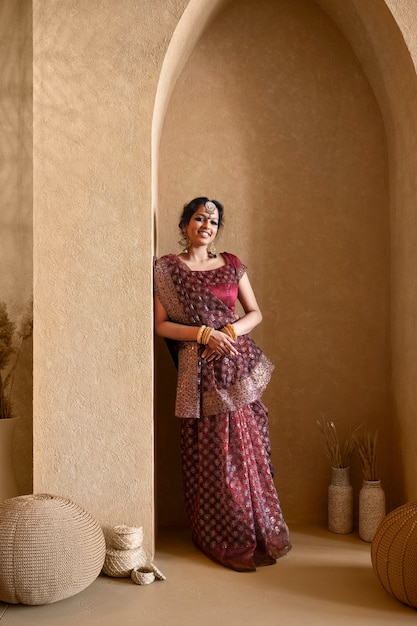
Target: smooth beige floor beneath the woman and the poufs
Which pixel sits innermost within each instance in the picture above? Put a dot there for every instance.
(325, 580)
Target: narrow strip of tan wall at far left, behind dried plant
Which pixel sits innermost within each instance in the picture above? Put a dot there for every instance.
(16, 205)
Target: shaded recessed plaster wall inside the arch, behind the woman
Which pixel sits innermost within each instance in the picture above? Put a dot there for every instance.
(274, 115)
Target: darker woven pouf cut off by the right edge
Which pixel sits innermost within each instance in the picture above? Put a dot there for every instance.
(394, 553)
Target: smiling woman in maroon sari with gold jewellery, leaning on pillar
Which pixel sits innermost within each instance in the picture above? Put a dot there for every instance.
(231, 501)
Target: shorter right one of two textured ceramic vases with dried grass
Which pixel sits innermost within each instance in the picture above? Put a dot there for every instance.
(371, 508)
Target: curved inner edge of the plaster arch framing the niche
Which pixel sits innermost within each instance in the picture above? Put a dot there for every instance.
(375, 36)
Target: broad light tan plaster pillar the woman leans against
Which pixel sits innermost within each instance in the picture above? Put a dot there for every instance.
(96, 70)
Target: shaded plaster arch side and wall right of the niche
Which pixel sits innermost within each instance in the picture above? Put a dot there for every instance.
(389, 57)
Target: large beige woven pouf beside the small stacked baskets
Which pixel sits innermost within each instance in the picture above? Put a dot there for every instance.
(50, 549)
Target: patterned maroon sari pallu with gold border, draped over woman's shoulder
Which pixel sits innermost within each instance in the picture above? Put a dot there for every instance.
(208, 388)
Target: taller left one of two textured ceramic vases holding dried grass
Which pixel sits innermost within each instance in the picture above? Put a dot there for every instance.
(340, 501)
